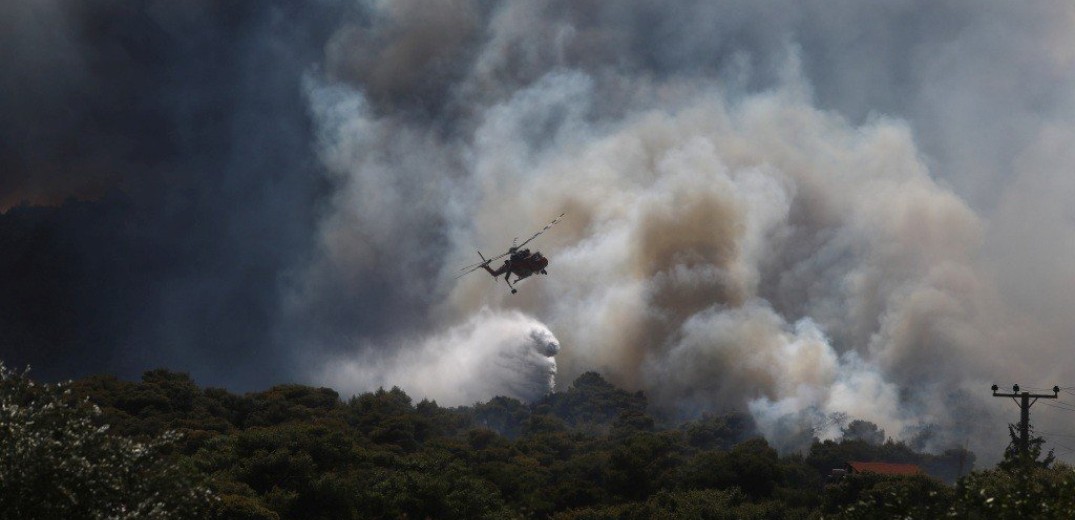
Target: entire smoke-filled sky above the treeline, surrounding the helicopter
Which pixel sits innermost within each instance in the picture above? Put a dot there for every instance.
(802, 209)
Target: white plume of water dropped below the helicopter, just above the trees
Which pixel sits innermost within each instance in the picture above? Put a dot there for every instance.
(493, 354)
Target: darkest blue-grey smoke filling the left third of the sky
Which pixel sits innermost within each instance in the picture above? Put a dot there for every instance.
(157, 184)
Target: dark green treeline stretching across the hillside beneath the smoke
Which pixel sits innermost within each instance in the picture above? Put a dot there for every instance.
(589, 453)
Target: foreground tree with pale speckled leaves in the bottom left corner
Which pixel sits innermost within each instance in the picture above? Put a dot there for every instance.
(56, 464)
